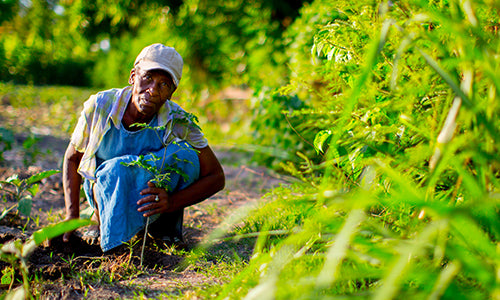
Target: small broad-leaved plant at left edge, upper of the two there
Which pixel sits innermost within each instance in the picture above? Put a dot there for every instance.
(23, 191)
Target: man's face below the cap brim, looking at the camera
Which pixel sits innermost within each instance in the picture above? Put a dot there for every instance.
(150, 90)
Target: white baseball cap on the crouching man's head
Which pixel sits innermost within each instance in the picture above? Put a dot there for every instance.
(158, 56)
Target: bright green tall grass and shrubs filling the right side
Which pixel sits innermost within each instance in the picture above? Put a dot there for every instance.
(405, 201)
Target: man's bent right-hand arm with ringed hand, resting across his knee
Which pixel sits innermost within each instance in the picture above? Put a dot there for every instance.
(211, 181)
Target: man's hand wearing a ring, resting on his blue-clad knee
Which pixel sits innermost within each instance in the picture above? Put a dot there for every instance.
(156, 201)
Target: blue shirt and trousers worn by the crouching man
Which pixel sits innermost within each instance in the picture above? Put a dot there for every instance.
(117, 187)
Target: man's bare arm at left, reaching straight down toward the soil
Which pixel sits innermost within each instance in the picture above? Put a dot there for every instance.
(71, 184)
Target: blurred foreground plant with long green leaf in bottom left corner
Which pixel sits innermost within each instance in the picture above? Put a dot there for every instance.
(18, 252)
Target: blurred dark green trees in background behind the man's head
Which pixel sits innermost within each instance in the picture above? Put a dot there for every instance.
(95, 42)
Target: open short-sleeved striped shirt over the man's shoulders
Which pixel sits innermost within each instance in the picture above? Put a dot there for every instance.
(107, 108)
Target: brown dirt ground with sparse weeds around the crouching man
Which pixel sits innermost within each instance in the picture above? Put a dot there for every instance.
(117, 274)
